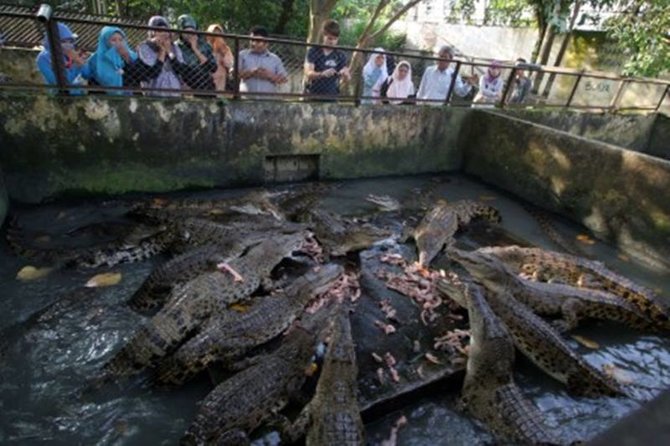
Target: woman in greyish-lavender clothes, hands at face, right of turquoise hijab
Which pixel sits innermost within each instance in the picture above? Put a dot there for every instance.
(159, 62)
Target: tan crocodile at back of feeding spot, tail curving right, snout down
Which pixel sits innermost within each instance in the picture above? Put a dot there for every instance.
(438, 226)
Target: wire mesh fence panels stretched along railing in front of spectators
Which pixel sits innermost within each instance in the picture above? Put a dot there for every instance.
(100, 56)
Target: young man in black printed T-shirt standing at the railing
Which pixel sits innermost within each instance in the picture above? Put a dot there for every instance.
(326, 67)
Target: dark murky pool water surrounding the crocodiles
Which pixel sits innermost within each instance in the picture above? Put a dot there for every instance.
(46, 361)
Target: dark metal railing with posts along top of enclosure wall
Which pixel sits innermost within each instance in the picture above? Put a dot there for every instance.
(571, 88)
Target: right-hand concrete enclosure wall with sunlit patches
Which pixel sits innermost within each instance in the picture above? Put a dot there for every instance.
(621, 195)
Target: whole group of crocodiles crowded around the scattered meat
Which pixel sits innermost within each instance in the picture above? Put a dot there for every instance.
(222, 304)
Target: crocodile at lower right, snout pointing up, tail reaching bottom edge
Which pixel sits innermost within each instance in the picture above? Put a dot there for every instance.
(489, 392)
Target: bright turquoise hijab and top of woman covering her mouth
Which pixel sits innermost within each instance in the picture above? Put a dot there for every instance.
(106, 64)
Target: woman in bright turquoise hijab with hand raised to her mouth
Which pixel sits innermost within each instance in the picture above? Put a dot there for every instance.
(108, 65)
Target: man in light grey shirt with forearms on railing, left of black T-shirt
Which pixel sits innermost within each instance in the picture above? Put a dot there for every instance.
(260, 70)
